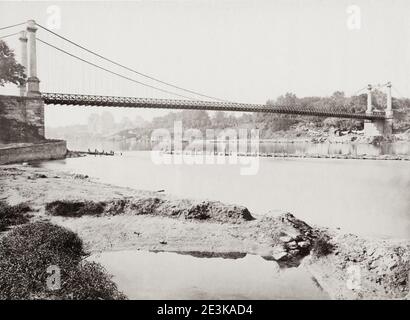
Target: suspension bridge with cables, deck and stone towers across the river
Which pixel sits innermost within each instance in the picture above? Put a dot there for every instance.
(376, 122)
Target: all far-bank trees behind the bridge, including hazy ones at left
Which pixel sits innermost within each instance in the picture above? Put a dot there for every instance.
(132, 135)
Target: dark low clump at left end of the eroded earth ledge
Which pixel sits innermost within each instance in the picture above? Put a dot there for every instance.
(74, 208)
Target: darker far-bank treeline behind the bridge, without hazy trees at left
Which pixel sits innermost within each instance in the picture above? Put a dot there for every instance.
(271, 124)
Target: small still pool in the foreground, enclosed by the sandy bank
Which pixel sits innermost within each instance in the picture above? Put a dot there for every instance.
(148, 275)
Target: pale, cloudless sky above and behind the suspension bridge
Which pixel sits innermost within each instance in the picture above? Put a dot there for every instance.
(245, 51)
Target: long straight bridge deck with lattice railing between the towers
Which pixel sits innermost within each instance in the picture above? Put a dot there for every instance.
(131, 102)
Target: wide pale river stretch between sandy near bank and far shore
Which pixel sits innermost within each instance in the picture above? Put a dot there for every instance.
(365, 197)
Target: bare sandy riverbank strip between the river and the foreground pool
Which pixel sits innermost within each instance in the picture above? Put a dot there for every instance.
(110, 218)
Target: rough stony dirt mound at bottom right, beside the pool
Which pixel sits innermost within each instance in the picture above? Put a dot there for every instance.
(374, 269)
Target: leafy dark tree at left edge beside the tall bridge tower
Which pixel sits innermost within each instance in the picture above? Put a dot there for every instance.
(10, 70)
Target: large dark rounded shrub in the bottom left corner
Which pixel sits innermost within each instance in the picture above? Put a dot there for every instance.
(26, 253)
